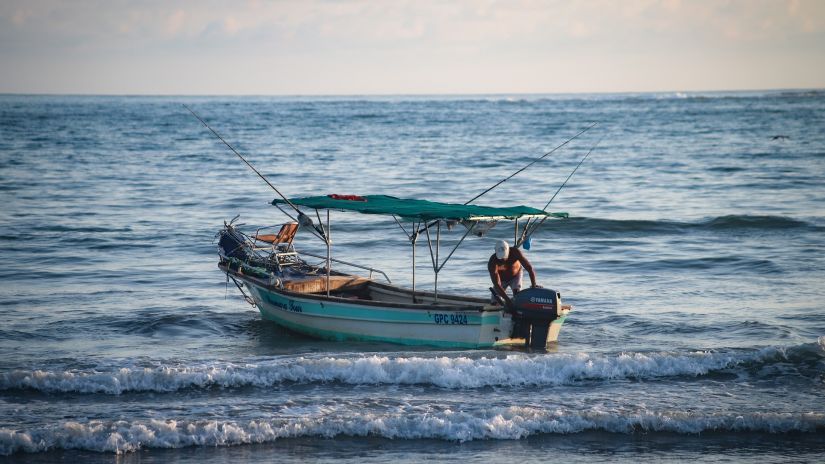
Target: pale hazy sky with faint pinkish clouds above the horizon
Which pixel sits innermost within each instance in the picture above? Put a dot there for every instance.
(360, 47)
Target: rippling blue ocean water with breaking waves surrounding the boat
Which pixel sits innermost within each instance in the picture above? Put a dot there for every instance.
(694, 257)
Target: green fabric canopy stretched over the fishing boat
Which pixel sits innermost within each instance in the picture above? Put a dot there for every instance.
(417, 209)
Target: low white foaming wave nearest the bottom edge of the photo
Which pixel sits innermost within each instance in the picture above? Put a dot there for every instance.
(511, 423)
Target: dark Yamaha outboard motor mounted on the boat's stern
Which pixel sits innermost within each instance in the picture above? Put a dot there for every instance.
(533, 311)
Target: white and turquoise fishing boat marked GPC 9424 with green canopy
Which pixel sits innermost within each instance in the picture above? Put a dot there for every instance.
(319, 301)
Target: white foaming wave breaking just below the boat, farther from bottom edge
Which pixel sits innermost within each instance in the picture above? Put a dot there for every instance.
(443, 372)
